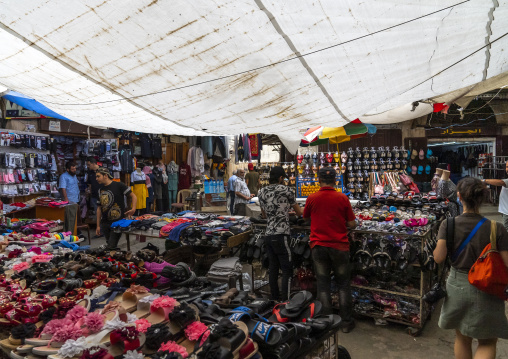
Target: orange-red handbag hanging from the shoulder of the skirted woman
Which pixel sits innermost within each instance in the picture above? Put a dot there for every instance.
(489, 273)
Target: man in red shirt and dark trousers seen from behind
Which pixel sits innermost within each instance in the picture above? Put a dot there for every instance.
(331, 216)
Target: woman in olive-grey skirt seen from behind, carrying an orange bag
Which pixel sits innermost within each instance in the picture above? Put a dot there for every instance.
(471, 312)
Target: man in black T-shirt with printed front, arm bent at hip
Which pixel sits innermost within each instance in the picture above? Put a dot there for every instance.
(112, 206)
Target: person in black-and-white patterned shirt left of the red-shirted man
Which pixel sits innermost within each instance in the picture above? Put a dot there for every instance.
(276, 200)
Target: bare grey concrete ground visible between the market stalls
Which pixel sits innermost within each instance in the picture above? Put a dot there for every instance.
(368, 340)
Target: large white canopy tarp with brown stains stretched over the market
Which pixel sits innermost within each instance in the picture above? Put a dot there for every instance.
(183, 67)
